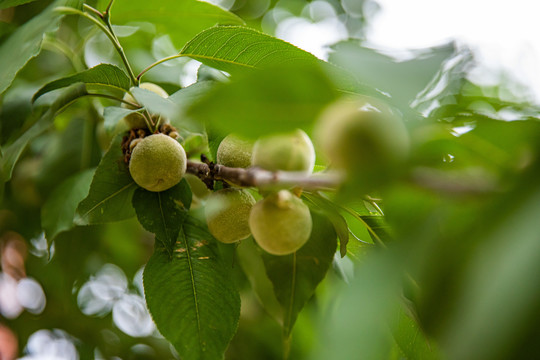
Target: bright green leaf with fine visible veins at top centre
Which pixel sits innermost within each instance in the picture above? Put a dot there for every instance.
(235, 49)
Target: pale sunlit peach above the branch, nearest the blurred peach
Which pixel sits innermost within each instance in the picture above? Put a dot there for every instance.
(287, 152)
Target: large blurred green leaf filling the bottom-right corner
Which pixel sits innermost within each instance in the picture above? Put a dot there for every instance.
(497, 301)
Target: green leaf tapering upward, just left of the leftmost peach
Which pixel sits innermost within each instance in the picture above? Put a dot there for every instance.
(110, 194)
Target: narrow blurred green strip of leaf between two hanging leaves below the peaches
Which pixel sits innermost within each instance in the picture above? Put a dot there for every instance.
(249, 258)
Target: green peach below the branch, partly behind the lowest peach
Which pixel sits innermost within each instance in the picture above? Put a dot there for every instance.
(227, 214)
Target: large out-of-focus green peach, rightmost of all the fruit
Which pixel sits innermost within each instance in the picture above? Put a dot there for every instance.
(364, 137)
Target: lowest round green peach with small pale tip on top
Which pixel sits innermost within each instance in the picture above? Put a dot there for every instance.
(280, 223)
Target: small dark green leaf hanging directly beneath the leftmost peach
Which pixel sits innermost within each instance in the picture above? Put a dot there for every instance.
(163, 213)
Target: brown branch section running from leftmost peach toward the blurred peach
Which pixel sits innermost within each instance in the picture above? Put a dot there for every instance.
(257, 177)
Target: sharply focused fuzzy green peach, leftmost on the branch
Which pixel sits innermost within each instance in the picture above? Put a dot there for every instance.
(158, 162)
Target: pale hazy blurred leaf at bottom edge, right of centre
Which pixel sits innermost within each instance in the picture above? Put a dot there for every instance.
(358, 327)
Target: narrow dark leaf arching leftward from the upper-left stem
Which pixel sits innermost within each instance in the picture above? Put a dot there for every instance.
(102, 74)
